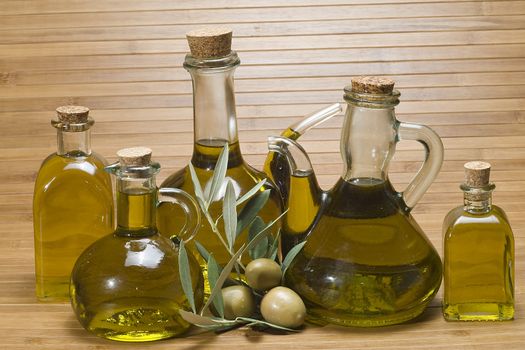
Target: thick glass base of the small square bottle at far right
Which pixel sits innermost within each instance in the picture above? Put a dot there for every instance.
(478, 312)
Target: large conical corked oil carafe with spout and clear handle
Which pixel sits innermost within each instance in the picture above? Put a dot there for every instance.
(366, 262)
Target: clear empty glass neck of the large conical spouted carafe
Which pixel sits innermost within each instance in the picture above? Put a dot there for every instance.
(367, 142)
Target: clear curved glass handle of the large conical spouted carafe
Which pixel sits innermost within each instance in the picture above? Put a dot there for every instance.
(431, 165)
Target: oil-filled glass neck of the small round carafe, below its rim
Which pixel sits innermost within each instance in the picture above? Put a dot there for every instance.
(136, 206)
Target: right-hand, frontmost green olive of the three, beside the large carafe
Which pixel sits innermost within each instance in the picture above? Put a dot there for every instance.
(283, 307)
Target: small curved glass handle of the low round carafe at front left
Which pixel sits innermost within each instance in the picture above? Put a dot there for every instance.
(188, 205)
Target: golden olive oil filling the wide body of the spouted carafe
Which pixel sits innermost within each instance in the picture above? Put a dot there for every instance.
(366, 262)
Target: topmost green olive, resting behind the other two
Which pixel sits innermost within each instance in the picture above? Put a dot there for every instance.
(263, 274)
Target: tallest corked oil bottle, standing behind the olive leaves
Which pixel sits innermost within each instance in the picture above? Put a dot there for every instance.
(211, 65)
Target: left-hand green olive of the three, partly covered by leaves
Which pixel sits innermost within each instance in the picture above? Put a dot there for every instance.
(238, 302)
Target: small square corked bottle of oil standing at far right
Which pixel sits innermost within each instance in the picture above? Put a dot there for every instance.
(478, 250)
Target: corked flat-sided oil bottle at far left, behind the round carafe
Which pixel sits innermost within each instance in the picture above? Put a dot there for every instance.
(72, 204)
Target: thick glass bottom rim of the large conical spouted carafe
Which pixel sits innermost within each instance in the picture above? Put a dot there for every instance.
(324, 317)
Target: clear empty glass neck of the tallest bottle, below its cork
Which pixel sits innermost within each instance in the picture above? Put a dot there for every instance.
(215, 118)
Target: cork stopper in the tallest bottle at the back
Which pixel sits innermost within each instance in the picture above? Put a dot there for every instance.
(209, 42)
